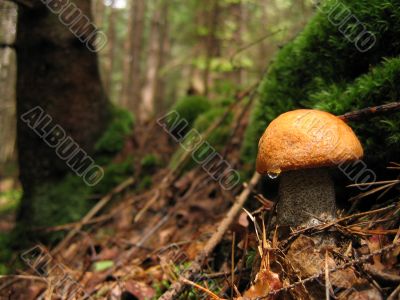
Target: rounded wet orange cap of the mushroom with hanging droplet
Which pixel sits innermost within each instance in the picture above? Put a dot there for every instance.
(305, 138)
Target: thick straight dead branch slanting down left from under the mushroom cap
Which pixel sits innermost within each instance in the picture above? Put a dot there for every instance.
(179, 286)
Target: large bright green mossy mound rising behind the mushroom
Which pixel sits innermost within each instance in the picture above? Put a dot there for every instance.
(324, 68)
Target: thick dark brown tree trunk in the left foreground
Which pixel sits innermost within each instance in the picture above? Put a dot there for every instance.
(58, 73)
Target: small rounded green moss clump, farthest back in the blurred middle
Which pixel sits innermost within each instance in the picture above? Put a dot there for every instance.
(190, 107)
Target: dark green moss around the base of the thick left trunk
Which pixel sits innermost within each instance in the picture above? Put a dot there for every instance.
(68, 199)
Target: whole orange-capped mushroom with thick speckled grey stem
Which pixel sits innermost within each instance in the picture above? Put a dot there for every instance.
(302, 145)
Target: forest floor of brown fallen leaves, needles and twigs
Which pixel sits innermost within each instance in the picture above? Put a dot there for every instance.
(187, 238)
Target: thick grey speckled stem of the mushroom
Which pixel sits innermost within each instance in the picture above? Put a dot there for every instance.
(305, 197)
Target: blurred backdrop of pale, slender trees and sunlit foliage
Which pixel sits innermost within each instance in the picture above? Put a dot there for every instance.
(159, 50)
